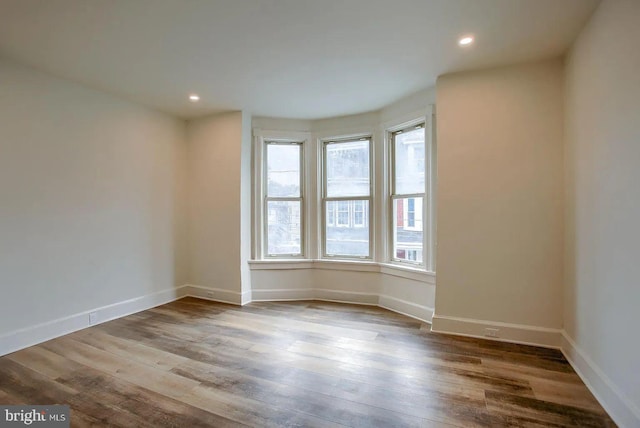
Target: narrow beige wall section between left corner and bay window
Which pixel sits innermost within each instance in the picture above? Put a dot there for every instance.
(219, 241)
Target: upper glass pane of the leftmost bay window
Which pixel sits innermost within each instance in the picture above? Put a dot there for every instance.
(283, 170)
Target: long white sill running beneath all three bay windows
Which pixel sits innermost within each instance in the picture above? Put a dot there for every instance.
(407, 272)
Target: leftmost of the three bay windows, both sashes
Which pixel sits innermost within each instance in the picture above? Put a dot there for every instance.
(283, 199)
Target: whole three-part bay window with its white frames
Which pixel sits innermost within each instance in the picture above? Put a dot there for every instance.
(319, 194)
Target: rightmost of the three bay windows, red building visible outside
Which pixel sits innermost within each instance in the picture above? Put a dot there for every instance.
(408, 194)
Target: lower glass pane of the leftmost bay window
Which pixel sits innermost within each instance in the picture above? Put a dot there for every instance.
(283, 220)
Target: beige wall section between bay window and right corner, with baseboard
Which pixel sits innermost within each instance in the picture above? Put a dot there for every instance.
(499, 205)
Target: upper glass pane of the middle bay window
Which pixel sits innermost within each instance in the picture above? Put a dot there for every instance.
(348, 168)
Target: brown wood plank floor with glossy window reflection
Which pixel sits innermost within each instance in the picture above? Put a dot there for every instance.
(194, 363)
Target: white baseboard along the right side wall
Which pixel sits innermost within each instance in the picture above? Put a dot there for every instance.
(620, 408)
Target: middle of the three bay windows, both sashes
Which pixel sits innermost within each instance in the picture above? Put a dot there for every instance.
(347, 193)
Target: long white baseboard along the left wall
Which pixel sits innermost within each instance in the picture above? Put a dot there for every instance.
(29, 336)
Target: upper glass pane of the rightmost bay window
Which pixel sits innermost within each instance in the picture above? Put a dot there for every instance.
(409, 162)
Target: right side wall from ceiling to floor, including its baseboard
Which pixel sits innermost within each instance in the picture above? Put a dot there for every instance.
(602, 294)
